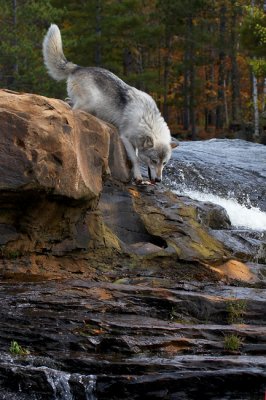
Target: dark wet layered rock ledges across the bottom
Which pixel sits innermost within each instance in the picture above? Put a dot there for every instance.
(108, 340)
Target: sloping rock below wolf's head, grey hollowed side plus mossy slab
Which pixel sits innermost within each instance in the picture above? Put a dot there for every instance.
(159, 218)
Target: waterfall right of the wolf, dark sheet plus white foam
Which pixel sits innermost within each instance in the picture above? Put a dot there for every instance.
(230, 173)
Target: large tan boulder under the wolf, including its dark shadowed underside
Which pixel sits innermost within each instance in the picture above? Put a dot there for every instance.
(53, 162)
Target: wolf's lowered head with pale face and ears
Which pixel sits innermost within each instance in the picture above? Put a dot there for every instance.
(155, 156)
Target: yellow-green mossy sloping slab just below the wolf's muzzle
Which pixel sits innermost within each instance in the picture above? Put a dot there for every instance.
(178, 226)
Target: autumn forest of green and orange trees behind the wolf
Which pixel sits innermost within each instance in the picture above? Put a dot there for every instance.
(203, 61)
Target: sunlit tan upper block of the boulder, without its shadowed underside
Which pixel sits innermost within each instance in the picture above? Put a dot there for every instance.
(45, 145)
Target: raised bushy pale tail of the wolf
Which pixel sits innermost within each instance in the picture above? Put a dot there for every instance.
(58, 66)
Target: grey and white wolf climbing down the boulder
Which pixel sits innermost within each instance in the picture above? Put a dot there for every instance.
(142, 129)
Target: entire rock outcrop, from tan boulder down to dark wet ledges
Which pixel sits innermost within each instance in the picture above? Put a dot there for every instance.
(135, 293)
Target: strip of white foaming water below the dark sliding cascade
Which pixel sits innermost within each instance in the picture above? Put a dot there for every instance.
(240, 215)
